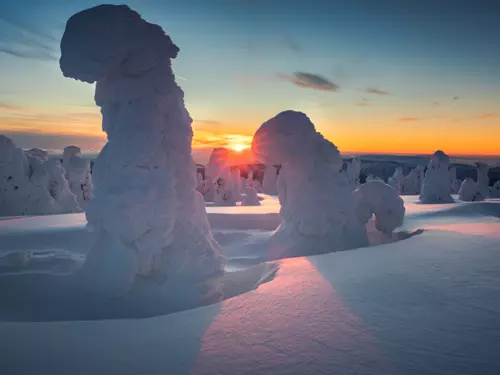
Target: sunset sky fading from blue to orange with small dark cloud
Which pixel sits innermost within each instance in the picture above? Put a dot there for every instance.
(405, 77)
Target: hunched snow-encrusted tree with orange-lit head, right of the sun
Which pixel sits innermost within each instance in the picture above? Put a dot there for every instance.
(318, 206)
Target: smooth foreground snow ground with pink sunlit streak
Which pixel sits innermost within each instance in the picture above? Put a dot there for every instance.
(426, 305)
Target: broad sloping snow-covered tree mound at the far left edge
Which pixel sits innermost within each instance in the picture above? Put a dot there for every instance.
(31, 186)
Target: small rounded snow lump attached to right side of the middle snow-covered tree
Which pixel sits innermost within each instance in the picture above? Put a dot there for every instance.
(378, 199)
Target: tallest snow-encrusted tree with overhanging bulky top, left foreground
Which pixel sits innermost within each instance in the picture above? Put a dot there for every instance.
(145, 209)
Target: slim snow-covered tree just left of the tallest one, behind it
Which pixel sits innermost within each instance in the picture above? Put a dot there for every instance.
(78, 174)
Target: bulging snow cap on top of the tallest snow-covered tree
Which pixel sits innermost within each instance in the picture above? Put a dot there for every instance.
(108, 39)
